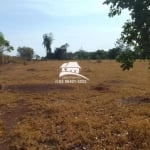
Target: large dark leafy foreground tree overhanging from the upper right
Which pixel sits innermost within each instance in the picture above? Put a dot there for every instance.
(136, 30)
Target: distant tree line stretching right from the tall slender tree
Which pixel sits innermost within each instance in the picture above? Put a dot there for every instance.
(121, 51)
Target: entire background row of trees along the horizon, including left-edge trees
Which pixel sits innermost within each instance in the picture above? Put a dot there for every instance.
(121, 51)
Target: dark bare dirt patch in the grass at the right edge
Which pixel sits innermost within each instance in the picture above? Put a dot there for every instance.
(136, 100)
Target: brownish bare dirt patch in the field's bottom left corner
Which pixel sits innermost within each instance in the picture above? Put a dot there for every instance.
(11, 117)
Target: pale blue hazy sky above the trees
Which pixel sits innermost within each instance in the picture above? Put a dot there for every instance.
(83, 24)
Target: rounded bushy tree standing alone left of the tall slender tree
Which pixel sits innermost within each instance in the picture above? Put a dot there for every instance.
(26, 53)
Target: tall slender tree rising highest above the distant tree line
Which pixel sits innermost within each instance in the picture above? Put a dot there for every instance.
(47, 42)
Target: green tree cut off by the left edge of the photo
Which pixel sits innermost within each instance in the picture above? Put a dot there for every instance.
(4, 45)
